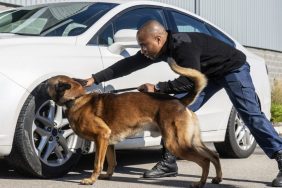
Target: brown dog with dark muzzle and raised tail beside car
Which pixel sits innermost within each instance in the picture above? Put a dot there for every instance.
(109, 118)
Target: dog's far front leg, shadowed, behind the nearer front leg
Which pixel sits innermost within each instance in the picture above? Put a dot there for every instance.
(111, 159)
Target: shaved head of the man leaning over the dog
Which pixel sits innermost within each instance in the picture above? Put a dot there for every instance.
(151, 38)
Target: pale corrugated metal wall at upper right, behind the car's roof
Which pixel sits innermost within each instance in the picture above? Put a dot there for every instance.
(256, 23)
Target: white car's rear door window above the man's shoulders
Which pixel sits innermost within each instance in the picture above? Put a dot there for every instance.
(185, 23)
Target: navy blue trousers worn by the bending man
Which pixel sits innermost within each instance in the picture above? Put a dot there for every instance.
(240, 89)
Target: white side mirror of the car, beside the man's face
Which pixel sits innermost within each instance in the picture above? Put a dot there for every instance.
(125, 38)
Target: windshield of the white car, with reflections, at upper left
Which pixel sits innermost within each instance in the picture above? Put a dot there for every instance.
(58, 19)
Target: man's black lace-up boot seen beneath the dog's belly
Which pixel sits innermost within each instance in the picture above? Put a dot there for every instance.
(165, 167)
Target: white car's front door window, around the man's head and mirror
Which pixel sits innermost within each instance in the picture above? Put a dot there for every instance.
(132, 19)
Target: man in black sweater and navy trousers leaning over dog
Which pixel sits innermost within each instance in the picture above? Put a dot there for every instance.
(224, 66)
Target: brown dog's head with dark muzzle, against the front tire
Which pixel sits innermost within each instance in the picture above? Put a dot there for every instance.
(62, 89)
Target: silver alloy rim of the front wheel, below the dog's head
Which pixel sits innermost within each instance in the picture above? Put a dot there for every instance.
(53, 140)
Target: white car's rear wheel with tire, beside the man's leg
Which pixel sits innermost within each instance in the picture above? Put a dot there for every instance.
(239, 142)
